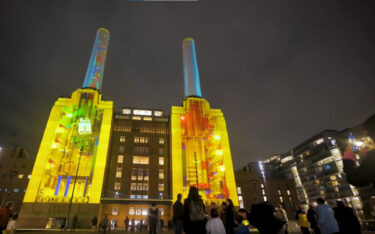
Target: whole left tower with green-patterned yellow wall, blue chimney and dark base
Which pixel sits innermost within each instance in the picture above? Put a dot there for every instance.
(68, 173)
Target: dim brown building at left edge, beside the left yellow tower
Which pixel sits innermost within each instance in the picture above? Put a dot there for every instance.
(15, 167)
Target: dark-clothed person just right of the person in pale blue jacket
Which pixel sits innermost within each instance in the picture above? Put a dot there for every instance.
(346, 219)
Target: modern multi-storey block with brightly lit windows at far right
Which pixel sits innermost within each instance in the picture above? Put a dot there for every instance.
(317, 168)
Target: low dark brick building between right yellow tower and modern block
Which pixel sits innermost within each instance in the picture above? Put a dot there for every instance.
(258, 182)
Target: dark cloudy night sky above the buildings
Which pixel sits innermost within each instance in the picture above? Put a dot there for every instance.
(280, 71)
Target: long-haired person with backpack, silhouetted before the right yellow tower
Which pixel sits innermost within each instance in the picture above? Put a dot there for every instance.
(194, 213)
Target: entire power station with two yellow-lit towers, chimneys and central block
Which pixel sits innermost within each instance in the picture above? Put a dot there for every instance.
(95, 161)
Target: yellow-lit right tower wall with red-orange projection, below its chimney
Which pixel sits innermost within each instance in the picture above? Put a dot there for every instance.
(200, 152)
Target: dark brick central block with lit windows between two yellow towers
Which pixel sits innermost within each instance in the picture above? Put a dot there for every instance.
(138, 169)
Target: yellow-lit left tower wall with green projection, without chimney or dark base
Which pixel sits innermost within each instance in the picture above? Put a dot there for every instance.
(73, 151)
